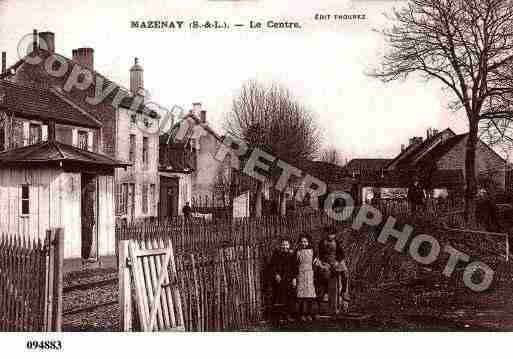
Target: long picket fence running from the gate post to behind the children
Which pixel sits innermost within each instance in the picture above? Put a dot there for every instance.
(220, 267)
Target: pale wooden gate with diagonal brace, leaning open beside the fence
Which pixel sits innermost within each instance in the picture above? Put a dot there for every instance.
(156, 289)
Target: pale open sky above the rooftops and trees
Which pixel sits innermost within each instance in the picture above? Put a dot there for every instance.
(324, 63)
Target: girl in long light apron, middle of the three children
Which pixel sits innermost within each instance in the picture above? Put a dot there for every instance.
(305, 288)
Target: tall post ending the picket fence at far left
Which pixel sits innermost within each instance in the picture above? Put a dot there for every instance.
(58, 261)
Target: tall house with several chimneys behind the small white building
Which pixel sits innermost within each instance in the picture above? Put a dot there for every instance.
(128, 128)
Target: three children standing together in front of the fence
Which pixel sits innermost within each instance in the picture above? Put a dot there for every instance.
(305, 276)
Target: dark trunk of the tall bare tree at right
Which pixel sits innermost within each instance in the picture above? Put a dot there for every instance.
(470, 173)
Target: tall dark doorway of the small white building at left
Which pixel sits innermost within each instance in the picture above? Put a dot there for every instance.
(89, 214)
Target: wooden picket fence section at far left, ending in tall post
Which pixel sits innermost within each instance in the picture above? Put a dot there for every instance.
(31, 282)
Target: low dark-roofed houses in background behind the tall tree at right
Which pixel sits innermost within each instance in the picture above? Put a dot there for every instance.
(438, 161)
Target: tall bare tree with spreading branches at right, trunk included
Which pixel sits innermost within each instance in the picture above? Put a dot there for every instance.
(467, 45)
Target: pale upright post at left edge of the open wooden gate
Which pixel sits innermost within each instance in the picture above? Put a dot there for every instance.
(125, 295)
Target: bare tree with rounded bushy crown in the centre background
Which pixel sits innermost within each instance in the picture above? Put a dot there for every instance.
(270, 118)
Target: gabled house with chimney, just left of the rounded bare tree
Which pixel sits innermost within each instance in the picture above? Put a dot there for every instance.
(189, 171)
